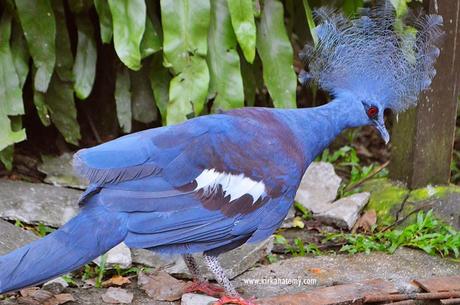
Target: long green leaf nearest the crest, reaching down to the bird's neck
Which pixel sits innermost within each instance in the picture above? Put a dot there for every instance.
(275, 50)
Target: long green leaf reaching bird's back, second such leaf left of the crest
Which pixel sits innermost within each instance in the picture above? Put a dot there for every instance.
(223, 60)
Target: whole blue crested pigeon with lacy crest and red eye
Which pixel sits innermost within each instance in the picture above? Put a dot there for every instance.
(215, 182)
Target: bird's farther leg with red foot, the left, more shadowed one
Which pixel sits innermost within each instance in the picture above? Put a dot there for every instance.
(199, 283)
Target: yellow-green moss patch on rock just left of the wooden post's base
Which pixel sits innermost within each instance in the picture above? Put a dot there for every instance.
(386, 199)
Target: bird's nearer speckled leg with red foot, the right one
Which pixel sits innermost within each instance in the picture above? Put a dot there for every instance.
(232, 296)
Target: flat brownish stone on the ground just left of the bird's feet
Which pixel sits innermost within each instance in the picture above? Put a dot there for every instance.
(161, 286)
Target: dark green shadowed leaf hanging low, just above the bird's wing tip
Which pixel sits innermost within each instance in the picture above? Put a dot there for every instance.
(60, 102)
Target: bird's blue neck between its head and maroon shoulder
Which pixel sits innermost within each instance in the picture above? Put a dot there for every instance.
(315, 128)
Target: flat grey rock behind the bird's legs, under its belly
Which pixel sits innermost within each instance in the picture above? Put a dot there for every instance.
(234, 262)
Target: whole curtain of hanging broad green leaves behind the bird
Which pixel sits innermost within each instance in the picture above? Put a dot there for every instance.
(198, 56)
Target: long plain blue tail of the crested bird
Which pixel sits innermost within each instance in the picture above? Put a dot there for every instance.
(78, 242)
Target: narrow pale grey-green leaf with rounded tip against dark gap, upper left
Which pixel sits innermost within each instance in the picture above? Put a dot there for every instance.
(84, 69)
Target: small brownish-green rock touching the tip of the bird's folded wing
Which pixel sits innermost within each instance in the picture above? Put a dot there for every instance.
(59, 171)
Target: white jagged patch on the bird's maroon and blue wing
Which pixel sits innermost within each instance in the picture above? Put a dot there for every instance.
(234, 185)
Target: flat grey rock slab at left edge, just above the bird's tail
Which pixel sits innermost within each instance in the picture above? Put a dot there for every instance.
(37, 203)
